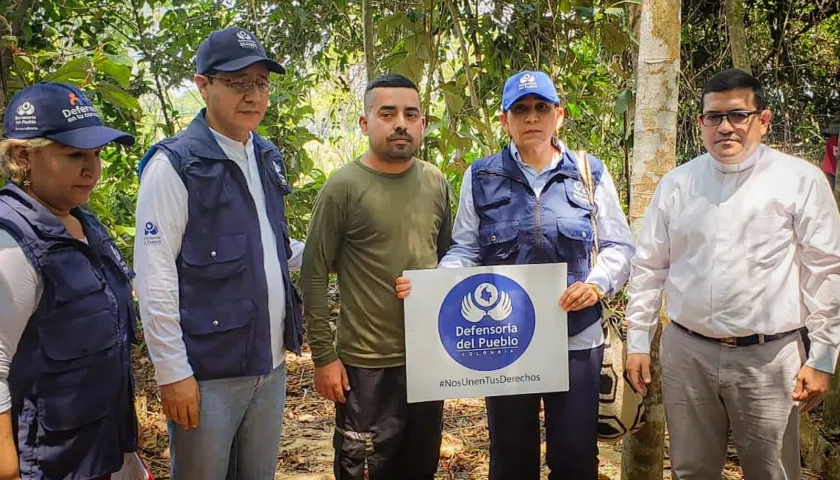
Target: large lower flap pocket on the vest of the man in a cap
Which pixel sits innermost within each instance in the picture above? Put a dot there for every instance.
(216, 337)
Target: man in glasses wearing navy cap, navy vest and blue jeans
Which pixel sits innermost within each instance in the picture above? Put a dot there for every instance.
(213, 255)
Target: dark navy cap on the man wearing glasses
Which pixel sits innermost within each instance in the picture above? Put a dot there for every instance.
(231, 50)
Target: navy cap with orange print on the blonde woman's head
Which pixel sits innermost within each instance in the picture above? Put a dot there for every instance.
(59, 112)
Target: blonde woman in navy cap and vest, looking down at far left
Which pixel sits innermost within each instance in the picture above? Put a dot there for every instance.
(67, 315)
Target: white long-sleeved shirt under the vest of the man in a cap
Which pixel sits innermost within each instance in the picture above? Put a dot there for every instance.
(162, 201)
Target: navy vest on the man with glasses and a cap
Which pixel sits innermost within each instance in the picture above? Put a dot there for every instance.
(221, 273)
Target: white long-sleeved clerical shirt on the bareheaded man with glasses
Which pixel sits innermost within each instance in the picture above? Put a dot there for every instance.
(750, 248)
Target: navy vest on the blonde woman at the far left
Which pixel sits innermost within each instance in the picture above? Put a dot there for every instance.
(71, 379)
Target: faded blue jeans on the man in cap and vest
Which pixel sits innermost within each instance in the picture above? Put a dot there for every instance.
(239, 425)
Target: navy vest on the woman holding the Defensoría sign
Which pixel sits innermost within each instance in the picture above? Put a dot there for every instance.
(517, 227)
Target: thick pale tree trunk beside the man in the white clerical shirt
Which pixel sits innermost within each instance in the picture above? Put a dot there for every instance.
(654, 153)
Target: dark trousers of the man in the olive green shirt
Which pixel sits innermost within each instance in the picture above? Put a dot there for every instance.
(376, 428)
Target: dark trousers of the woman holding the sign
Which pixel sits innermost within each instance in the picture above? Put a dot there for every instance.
(571, 425)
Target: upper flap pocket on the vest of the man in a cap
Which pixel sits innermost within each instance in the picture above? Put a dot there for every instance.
(213, 257)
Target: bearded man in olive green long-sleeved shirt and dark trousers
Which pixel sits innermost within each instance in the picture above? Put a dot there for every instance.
(384, 213)
